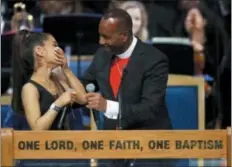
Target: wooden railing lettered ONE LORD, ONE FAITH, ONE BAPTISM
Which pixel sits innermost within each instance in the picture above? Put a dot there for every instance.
(114, 144)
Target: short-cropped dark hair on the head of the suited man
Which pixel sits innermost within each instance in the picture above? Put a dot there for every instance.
(123, 18)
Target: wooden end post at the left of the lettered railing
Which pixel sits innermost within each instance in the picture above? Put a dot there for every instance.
(7, 152)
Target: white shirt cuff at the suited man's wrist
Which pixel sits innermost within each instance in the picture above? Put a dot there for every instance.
(112, 108)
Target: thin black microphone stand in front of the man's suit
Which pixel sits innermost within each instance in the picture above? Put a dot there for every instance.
(120, 101)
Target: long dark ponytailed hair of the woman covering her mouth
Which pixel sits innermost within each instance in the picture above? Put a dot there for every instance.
(23, 62)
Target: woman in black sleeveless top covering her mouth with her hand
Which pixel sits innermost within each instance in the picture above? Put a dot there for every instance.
(37, 92)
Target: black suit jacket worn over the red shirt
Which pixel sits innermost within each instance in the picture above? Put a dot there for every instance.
(143, 87)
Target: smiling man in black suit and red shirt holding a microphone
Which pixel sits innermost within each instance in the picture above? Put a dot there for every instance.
(127, 69)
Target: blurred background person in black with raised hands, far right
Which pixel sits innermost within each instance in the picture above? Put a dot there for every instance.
(211, 46)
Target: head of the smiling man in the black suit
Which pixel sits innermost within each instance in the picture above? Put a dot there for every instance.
(115, 30)
